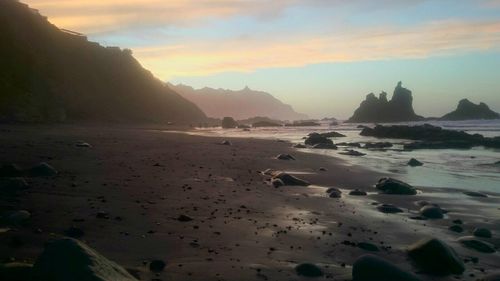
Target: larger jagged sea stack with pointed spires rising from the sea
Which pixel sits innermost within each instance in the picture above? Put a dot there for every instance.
(378, 110)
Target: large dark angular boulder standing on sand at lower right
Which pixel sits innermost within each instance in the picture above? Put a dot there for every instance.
(434, 256)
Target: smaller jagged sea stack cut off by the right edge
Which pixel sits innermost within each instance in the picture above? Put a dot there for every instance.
(467, 110)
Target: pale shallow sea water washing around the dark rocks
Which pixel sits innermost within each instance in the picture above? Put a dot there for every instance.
(470, 169)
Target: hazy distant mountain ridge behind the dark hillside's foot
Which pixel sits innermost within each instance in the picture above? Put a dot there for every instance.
(242, 104)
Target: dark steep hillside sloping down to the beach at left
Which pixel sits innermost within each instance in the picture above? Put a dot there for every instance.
(50, 74)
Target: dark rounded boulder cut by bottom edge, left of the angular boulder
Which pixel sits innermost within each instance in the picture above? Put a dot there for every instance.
(373, 268)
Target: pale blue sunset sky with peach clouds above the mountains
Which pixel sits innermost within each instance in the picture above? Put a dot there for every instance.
(320, 56)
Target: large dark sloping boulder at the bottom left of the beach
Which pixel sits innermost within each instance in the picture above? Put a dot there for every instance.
(69, 259)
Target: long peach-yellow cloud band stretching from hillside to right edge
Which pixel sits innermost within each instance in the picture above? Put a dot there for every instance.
(381, 43)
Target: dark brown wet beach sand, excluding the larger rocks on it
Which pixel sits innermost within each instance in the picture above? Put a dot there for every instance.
(242, 228)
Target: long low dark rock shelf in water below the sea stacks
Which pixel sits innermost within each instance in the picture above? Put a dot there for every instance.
(431, 137)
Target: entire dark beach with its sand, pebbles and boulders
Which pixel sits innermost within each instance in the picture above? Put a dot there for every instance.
(145, 204)
